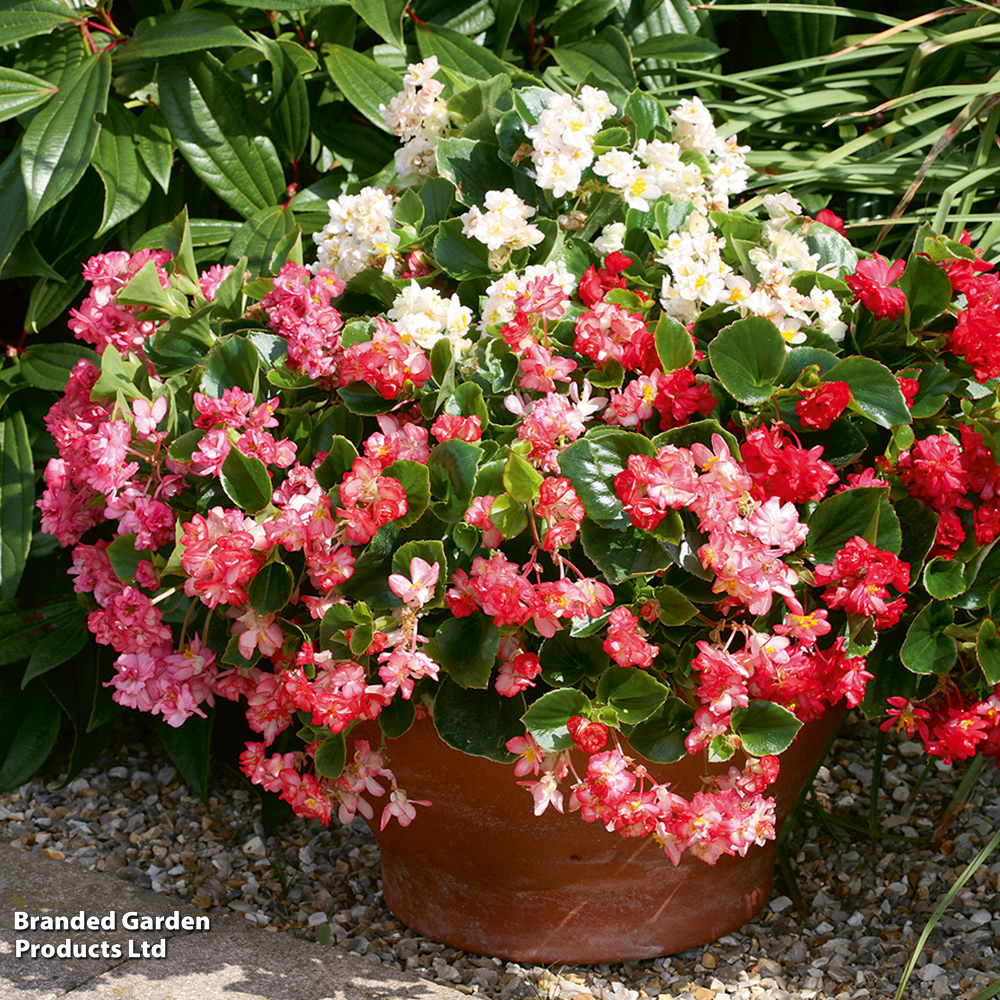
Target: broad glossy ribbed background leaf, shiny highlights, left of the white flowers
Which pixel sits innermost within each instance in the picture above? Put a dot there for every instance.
(206, 110)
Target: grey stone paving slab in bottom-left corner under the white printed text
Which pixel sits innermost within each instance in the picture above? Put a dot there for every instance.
(68, 932)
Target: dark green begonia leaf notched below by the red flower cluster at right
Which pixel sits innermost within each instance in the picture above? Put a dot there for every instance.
(863, 511)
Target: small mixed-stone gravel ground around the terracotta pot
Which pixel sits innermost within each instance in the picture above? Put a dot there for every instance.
(132, 815)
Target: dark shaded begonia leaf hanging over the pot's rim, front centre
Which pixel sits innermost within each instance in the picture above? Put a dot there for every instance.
(476, 721)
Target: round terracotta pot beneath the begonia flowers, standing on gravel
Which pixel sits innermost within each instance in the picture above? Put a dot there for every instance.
(479, 871)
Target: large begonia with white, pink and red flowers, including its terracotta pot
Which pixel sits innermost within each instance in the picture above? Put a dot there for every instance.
(556, 462)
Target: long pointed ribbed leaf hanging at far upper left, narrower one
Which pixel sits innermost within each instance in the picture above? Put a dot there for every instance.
(59, 142)
